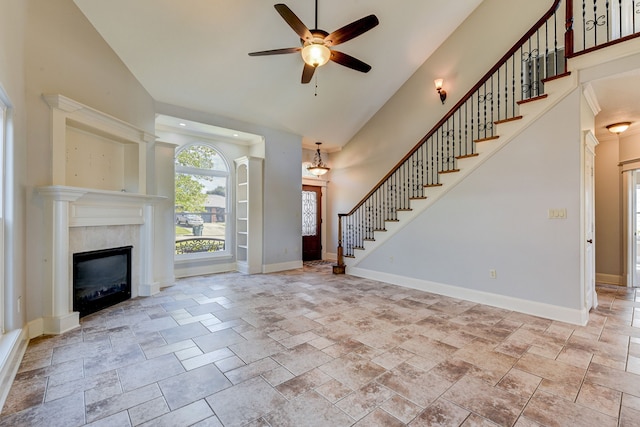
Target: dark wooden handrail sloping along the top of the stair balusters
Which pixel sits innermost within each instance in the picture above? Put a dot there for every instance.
(462, 101)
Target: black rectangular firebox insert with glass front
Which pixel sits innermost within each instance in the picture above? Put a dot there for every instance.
(101, 279)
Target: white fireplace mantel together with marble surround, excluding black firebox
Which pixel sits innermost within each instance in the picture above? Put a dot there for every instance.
(79, 220)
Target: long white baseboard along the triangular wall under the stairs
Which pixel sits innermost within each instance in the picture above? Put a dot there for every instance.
(548, 311)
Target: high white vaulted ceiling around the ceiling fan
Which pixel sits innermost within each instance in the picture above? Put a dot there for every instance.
(194, 54)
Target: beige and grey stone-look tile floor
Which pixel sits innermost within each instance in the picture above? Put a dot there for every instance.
(307, 348)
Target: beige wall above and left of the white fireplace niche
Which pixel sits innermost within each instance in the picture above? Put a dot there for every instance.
(65, 55)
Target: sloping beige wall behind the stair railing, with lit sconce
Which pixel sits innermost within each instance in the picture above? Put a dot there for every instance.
(416, 107)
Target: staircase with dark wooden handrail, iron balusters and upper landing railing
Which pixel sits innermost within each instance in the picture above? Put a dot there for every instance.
(527, 82)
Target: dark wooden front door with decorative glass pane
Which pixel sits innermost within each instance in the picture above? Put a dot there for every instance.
(311, 222)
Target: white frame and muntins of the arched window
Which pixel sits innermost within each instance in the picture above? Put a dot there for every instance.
(227, 253)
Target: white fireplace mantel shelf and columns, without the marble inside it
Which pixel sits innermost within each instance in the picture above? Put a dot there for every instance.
(67, 207)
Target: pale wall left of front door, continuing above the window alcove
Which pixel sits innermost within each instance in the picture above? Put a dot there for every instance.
(282, 240)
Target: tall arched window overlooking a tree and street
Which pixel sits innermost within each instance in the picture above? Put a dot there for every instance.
(202, 193)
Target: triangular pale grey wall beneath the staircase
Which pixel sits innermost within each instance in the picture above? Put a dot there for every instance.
(497, 218)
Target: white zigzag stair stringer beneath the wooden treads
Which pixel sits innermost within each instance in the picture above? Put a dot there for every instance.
(555, 90)
